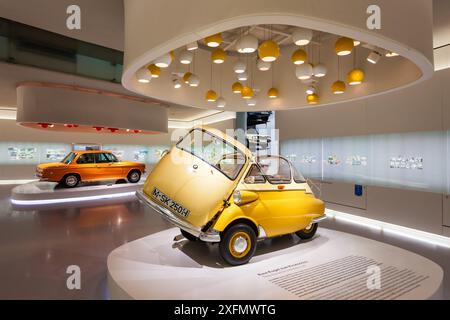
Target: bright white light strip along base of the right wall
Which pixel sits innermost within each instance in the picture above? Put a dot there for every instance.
(390, 228)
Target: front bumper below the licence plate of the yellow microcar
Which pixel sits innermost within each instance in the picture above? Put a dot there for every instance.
(169, 216)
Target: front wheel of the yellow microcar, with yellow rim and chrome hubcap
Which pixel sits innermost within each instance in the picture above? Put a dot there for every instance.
(238, 244)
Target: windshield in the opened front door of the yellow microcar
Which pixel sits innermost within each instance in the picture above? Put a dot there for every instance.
(215, 151)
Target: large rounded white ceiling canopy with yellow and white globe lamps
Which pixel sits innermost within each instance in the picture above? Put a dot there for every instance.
(250, 58)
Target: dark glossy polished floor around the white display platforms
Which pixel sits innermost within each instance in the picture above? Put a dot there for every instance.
(37, 246)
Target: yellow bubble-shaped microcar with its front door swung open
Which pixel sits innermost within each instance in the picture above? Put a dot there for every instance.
(213, 188)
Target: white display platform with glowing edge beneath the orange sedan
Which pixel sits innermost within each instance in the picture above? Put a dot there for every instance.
(44, 193)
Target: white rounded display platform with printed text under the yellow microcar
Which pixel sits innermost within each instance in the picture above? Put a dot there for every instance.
(331, 266)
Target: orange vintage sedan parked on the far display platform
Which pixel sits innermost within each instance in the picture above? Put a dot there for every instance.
(85, 166)
